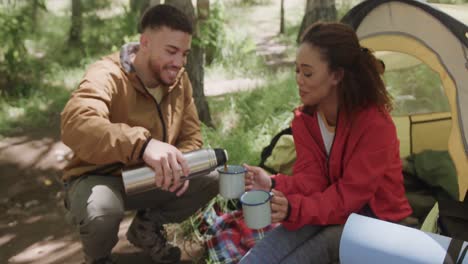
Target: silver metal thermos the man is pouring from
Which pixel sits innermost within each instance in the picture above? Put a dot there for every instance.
(200, 162)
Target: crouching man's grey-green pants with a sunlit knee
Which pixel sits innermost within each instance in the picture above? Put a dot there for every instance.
(96, 205)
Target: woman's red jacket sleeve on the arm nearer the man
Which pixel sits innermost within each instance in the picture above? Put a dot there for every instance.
(308, 176)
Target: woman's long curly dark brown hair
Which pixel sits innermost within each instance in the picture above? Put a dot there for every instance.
(362, 85)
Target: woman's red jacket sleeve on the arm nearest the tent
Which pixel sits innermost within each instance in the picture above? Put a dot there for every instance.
(361, 177)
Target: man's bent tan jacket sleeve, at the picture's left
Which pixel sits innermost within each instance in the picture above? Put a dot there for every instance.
(87, 129)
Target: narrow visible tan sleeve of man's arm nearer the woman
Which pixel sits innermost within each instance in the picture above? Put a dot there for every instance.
(190, 135)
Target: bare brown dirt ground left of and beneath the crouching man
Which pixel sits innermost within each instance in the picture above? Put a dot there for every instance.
(33, 228)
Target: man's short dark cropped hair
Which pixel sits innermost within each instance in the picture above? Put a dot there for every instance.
(165, 15)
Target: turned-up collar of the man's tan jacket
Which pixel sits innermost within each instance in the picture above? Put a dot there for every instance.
(126, 56)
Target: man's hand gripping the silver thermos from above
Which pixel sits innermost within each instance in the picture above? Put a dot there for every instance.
(168, 164)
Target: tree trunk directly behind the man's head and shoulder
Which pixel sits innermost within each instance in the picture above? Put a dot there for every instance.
(195, 64)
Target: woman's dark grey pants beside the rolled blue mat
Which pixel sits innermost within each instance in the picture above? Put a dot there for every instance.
(310, 244)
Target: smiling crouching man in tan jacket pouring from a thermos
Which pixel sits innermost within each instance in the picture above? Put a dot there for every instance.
(131, 107)
